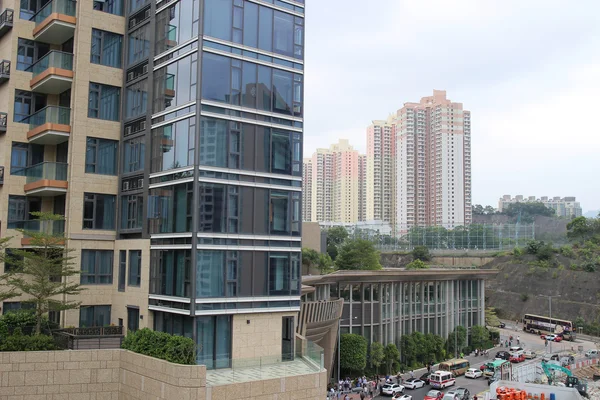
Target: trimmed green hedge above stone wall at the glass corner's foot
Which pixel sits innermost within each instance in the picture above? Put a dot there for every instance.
(172, 348)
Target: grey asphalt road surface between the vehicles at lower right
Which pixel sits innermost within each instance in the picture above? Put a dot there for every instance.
(528, 342)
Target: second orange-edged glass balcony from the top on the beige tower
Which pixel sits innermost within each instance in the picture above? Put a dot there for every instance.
(53, 73)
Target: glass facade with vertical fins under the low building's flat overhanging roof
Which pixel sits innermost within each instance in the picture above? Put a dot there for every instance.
(383, 312)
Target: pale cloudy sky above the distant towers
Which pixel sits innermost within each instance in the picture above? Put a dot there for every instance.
(529, 72)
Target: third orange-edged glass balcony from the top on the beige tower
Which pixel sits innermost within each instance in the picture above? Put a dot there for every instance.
(50, 125)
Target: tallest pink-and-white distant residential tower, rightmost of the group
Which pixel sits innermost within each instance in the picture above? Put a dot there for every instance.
(433, 162)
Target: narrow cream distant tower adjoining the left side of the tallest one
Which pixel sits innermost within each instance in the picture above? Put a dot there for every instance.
(381, 174)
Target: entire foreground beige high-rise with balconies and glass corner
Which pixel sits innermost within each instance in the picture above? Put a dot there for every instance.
(169, 135)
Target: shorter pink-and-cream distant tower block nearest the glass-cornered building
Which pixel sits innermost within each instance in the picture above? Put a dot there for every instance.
(335, 184)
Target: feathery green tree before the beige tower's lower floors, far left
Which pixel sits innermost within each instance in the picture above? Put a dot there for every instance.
(41, 273)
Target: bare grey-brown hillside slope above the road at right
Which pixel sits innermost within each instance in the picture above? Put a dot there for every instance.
(521, 288)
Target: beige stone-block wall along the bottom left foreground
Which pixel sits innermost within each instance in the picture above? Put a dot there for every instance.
(124, 375)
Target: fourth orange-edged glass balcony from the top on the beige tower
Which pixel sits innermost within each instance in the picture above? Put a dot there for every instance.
(46, 179)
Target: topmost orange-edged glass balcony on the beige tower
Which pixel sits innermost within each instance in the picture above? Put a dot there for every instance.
(55, 22)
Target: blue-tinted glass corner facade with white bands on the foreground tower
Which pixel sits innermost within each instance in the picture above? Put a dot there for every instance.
(211, 153)
